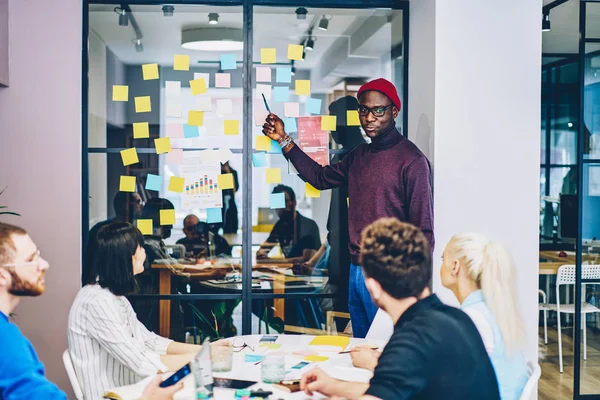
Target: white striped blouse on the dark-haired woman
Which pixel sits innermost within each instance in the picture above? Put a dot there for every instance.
(109, 346)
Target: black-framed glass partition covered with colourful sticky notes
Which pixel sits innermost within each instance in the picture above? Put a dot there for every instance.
(173, 105)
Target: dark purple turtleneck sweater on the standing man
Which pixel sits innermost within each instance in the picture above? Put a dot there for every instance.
(388, 178)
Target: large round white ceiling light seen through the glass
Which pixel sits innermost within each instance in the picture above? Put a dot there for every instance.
(212, 39)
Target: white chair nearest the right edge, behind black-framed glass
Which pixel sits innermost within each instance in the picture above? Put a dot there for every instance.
(566, 276)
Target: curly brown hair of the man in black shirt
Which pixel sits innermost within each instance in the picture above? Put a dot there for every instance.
(397, 255)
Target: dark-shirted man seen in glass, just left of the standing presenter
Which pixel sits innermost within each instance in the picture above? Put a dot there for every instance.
(297, 235)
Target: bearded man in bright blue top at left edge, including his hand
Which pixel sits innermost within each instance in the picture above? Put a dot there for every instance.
(22, 272)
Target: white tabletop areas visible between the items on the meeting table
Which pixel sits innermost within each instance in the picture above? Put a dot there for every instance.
(338, 366)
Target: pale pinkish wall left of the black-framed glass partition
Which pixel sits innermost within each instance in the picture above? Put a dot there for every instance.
(40, 128)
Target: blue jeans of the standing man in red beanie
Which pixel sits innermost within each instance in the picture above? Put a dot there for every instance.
(361, 306)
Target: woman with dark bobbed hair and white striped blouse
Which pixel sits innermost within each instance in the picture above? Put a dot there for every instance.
(109, 346)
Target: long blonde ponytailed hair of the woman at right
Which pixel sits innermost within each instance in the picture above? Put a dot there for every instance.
(491, 266)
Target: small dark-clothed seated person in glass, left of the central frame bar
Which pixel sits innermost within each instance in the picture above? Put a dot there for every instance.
(200, 242)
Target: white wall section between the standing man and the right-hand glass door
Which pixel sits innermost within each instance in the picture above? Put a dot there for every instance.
(486, 114)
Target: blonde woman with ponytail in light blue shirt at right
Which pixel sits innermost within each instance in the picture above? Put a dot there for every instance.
(481, 275)
